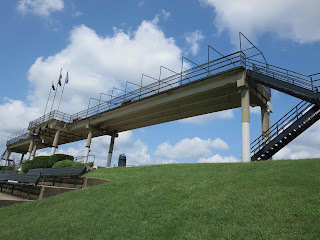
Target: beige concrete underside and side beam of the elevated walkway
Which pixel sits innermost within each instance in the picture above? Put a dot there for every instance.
(207, 95)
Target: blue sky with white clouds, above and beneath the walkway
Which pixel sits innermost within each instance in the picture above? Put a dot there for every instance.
(103, 44)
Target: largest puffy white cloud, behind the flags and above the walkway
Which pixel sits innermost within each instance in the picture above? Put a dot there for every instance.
(97, 64)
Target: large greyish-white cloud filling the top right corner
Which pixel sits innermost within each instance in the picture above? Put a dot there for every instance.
(292, 19)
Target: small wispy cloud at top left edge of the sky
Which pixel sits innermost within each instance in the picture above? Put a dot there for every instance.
(40, 7)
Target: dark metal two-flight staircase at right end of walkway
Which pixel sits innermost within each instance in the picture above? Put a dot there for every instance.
(297, 120)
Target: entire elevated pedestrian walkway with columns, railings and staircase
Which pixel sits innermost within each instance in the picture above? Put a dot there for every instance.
(228, 82)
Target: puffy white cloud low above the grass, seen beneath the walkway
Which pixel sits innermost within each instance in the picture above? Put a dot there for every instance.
(187, 148)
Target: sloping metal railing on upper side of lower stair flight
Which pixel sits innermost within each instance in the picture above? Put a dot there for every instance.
(282, 124)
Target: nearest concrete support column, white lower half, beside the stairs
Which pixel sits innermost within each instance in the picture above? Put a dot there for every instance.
(245, 124)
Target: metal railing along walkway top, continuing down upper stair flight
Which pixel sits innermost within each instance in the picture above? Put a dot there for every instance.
(224, 63)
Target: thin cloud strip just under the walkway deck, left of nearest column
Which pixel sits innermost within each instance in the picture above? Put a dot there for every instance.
(206, 118)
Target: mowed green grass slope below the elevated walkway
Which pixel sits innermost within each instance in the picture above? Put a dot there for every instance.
(263, 200)
